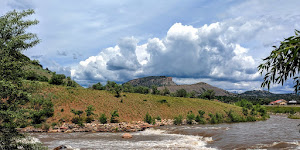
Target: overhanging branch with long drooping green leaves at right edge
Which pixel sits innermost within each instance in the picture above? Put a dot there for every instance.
(283, 63)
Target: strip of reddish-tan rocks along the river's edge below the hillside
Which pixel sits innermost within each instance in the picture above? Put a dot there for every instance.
(98, 127)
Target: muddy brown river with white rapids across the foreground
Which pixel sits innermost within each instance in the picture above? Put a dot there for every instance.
(278, 132)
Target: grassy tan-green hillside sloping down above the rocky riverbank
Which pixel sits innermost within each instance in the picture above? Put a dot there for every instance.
(131, 106)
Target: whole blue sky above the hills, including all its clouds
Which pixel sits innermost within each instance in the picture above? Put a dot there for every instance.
(220, 42)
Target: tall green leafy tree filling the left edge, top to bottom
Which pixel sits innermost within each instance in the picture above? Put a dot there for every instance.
(13, 40)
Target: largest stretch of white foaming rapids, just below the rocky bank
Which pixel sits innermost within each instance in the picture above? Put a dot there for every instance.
(154, 139)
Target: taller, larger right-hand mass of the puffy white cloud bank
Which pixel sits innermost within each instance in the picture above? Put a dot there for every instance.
(199, 52)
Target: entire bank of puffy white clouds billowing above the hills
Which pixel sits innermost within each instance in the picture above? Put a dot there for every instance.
(185, 52)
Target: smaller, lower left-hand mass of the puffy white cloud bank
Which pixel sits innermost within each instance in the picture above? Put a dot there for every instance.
(119, 63)
